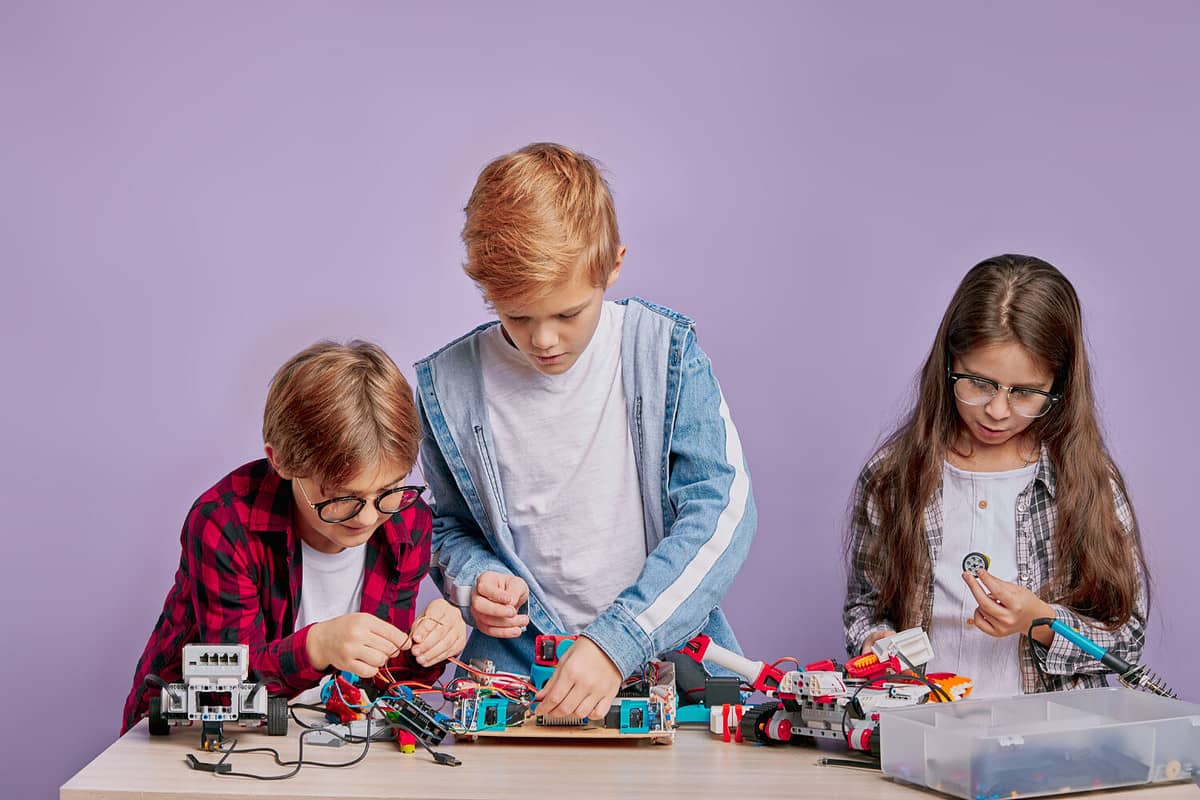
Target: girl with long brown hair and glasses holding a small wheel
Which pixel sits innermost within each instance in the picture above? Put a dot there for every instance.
(1001, 456)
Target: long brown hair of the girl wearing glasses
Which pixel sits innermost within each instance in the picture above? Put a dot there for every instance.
(1024, 300)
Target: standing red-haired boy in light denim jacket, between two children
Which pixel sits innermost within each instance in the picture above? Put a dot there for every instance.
(587, 478)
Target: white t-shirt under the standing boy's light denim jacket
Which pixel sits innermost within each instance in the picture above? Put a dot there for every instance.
(567, 471)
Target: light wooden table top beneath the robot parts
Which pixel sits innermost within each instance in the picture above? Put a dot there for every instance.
(697, 766)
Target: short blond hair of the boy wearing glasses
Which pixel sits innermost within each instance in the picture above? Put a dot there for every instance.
(337, 410)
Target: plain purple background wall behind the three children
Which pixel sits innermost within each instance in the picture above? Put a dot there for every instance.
(190, 195)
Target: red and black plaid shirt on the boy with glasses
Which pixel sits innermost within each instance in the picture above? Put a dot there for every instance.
(239, 582)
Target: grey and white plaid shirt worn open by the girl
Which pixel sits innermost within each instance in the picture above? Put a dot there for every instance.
(1066, 666)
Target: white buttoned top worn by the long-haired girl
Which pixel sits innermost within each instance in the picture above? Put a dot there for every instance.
(980, 515)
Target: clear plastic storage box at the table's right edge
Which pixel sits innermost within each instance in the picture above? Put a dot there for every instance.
(1042, 744)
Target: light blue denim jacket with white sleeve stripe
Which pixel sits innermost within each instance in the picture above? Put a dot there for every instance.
(697, 498)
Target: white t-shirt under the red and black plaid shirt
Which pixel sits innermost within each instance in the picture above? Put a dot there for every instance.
(331, 586)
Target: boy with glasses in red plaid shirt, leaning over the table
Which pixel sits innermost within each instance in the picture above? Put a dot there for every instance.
(314, 555)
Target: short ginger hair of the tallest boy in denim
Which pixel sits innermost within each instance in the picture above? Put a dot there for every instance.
(535, 218)
